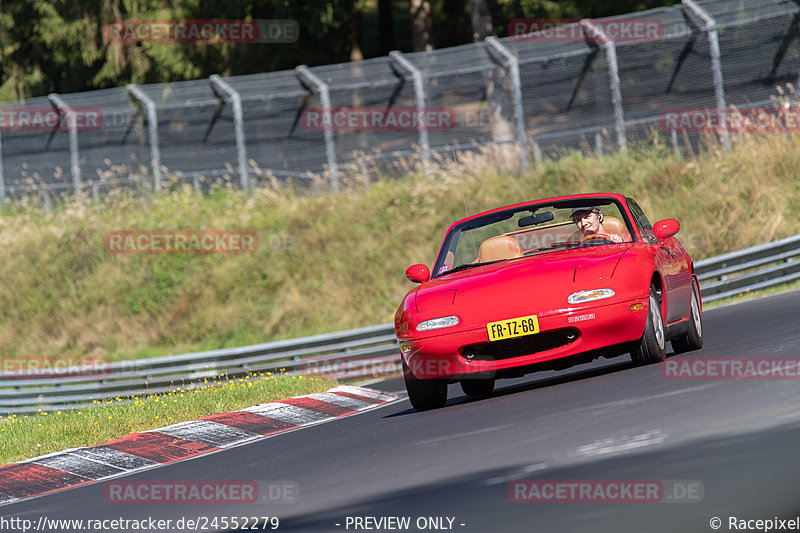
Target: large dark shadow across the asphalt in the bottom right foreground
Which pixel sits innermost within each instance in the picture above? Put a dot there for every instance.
(745, 476)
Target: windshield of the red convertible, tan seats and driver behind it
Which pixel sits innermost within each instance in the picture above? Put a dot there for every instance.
(532, 230)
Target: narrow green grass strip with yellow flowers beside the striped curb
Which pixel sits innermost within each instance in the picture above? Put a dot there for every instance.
(52, 430)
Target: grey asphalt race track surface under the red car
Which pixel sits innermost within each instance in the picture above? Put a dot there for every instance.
(733, 443)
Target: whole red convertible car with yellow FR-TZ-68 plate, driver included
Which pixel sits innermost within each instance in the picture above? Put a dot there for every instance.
(546, 285)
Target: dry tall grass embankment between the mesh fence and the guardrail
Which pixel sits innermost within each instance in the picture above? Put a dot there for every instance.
(333, 261)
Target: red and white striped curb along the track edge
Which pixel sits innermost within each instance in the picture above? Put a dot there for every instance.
(139, 451)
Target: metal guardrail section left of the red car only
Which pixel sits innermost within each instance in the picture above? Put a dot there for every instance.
(361, 352)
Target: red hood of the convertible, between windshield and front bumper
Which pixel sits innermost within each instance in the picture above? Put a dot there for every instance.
(536, 284)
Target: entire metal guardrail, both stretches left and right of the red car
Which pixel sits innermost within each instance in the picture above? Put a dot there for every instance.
(357, 353)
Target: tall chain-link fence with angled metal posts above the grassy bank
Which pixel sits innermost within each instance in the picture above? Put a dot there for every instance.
(538, 94)
